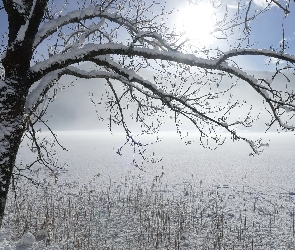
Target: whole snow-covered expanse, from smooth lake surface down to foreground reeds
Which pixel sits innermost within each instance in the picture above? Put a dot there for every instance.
(215, 203)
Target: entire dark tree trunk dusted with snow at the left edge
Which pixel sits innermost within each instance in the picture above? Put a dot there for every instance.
(14, 89)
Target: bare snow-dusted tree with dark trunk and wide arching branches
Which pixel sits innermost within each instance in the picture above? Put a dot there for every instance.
(124, 38)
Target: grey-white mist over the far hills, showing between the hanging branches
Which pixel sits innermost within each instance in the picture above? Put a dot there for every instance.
(79, 104)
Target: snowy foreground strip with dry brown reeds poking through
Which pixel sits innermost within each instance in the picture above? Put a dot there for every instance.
(134, 214)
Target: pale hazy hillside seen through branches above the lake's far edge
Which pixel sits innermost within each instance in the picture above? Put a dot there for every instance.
(76, 107)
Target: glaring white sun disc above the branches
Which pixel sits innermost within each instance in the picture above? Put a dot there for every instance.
(196, 22)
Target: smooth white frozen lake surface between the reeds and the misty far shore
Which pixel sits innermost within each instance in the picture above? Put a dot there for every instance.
(230, 164)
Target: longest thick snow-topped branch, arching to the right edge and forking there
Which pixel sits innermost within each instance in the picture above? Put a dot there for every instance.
(91, 52)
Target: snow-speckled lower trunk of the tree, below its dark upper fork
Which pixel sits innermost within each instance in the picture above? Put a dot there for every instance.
(11, 131)
